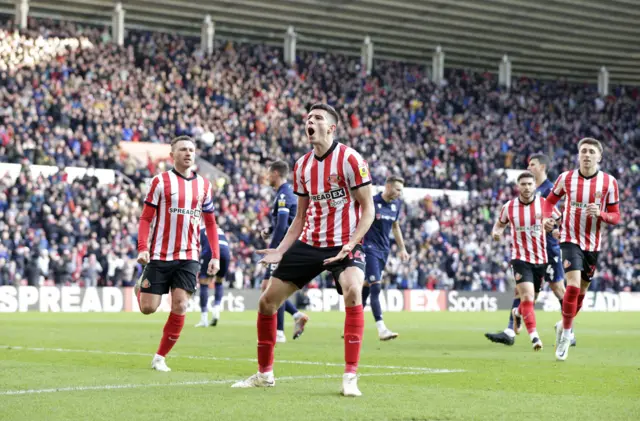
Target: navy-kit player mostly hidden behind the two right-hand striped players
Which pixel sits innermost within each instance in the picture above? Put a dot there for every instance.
(538, 165)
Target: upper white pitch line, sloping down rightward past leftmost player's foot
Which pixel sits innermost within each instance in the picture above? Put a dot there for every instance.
(252, 360)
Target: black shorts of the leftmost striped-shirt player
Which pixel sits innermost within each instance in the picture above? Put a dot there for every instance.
(159, 277)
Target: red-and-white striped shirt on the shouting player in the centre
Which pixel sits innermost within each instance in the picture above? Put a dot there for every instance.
(333, 212)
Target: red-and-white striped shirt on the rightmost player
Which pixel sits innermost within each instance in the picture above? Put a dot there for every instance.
(577, 227)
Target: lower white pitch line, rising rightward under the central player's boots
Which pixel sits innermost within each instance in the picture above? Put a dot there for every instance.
(196, 383)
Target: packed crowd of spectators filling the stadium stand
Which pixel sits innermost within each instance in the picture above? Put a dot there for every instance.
(69, 97)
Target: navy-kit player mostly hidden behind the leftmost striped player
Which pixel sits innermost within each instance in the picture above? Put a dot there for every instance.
(205, 279)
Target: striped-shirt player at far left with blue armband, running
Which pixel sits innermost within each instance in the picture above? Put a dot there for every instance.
(174, 205)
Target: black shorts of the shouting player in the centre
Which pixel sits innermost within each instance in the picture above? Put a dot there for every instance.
(302, 262)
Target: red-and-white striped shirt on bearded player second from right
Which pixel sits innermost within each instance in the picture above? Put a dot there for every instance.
(528, 237)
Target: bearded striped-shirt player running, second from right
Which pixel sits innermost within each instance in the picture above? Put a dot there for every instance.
(526, 218)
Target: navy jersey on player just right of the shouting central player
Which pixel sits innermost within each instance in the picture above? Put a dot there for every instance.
(377, 239)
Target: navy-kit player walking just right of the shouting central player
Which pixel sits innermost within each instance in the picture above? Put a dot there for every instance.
(377, 246)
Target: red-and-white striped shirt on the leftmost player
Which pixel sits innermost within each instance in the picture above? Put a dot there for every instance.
(179, 204)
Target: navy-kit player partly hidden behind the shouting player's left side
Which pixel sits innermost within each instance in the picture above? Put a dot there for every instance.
(284, 210)
